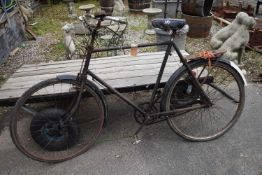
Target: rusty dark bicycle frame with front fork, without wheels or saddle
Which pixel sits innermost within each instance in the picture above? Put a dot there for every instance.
(82, 76)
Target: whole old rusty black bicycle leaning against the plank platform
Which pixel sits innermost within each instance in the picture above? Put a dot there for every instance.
(60, 118)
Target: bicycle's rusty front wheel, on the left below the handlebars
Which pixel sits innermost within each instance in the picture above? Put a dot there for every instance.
(43, 128)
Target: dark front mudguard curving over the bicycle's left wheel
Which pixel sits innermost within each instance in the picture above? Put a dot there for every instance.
(95, 89)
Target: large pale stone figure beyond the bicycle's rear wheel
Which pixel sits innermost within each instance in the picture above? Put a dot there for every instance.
(234, 37)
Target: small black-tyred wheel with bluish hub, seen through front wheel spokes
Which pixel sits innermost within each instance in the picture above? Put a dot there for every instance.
(51, 132)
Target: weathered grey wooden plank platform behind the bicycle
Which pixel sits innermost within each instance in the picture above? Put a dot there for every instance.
(126, 73)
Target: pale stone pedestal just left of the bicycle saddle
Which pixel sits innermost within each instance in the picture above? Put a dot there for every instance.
(151, 14)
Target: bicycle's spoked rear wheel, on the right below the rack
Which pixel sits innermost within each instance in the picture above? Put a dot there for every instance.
(224, 87)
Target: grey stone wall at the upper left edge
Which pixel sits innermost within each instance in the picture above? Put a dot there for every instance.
(12, 33)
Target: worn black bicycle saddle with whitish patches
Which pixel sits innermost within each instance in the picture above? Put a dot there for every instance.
(168, 23)
